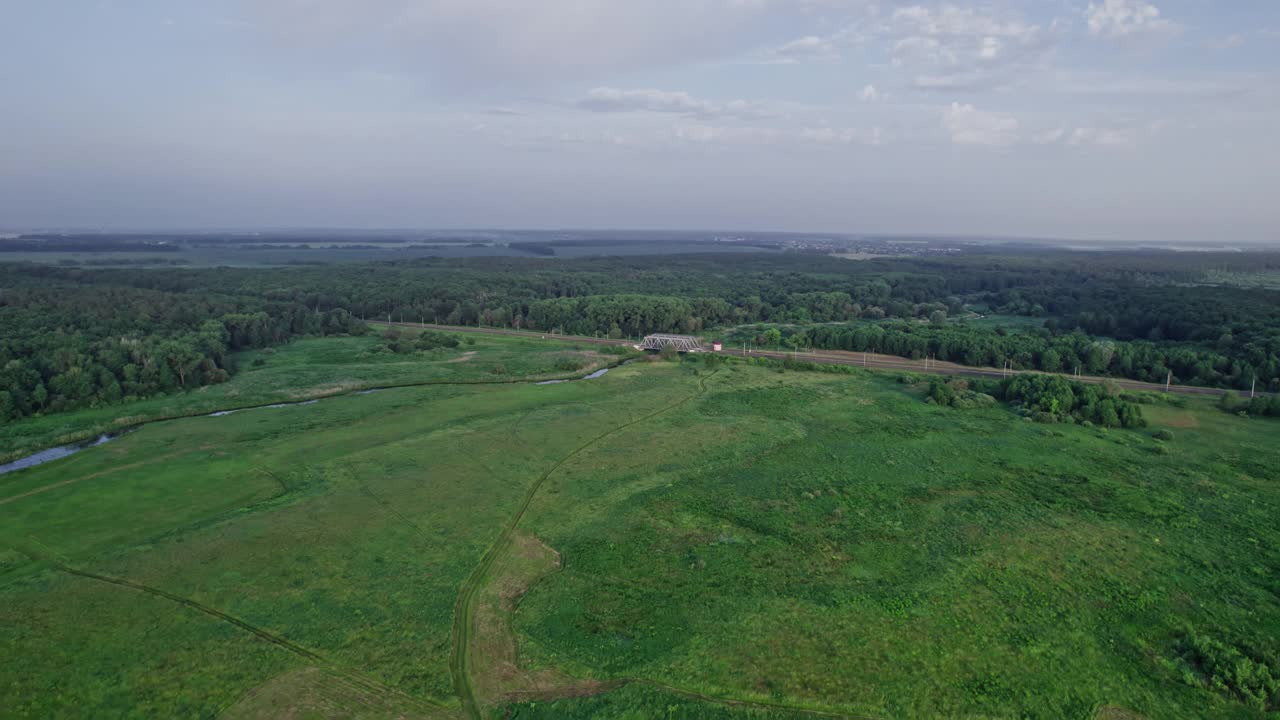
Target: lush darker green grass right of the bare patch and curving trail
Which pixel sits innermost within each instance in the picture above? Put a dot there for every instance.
(903, 560)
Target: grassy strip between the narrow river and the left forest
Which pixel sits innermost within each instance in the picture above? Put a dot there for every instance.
(309, 370)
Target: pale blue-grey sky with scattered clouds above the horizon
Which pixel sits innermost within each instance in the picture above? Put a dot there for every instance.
(1126, 120)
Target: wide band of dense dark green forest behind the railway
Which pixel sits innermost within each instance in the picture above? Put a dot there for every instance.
(76, 338)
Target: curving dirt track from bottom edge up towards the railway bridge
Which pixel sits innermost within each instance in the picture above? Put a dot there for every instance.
(464, 610)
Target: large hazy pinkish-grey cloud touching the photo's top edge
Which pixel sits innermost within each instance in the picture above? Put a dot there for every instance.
(505, 43)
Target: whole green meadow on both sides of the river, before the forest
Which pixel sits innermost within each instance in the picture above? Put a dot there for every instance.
(669, 541)
